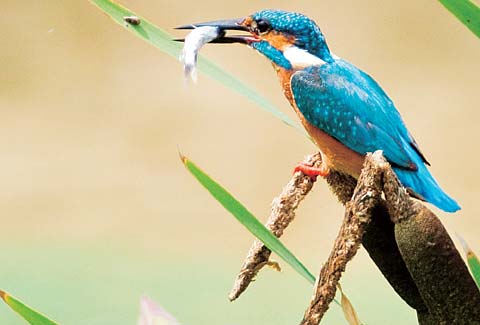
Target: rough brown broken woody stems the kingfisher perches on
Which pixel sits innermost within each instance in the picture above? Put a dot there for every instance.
(405, 239)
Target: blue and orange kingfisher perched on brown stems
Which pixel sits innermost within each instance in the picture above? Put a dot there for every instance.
(343, 109)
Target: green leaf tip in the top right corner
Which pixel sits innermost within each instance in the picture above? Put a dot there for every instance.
(466, 11)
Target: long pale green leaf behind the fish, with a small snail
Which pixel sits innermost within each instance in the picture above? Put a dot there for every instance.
(163, 41)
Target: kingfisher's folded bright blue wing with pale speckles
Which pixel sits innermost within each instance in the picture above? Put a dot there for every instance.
(350, 106)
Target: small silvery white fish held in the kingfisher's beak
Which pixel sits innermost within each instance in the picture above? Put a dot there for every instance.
(192, 44)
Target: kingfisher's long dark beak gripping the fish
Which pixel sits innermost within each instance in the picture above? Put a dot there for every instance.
(224, 26)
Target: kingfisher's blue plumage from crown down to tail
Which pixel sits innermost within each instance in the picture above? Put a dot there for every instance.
(347, 104)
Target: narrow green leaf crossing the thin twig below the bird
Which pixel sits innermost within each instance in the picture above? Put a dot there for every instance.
(247, 219)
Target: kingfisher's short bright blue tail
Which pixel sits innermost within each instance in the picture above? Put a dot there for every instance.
(425, 186)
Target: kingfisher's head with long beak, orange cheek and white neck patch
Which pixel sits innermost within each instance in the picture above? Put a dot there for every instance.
(290, 40)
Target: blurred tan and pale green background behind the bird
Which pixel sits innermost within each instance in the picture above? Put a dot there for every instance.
(96, 208)
